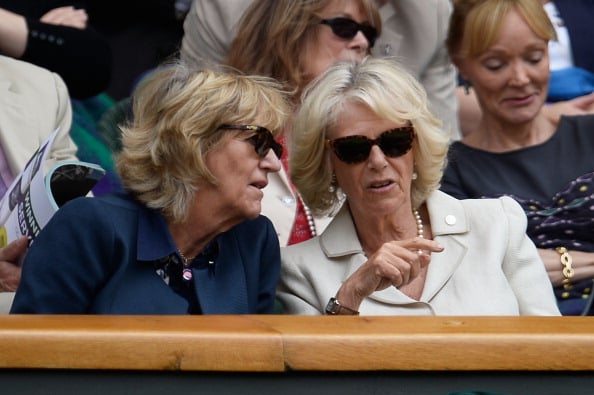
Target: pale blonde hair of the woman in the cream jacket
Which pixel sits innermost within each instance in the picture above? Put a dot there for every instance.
(392, 94)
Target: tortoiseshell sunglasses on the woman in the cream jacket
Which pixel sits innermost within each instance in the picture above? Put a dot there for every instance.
(356, 149)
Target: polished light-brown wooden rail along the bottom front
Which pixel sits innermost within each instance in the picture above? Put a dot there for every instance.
(253, 343)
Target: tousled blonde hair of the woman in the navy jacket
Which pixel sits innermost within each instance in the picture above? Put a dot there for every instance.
(178, 112)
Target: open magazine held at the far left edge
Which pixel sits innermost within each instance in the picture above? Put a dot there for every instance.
(33, 198)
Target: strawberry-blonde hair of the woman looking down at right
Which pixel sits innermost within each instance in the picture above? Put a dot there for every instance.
(475, 24)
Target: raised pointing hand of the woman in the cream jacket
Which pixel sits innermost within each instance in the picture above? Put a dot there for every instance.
(395, 263)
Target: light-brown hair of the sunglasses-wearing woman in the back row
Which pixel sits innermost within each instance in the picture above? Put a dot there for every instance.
(273, 35)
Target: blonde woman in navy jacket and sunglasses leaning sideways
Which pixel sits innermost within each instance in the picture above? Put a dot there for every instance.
(187, 237)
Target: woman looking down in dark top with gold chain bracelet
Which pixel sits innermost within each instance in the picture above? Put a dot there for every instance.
(501, 48)
